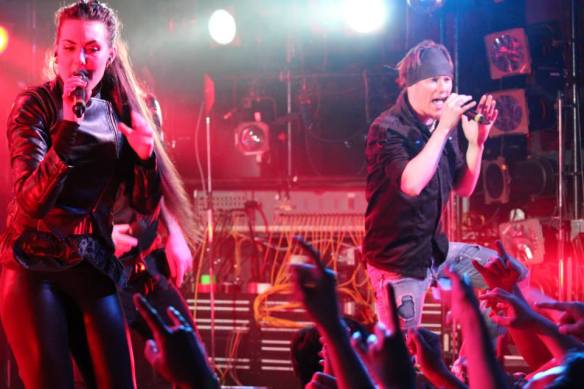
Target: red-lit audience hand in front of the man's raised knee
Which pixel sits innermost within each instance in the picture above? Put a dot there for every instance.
(499, 272)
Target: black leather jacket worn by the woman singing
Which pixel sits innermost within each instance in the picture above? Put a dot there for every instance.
(65, 176)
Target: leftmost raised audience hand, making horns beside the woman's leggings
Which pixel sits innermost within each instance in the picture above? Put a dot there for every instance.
(176, 353)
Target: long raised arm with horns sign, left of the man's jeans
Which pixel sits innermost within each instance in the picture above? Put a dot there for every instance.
(315, 287)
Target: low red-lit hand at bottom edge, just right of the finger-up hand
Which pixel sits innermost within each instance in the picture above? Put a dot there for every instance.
(425, 345)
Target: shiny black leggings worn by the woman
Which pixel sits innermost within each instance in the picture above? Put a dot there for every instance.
(47, 317)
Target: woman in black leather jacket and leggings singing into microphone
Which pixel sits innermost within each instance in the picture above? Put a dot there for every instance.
(73, 142)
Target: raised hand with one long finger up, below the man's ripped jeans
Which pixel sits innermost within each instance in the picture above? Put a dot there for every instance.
(385, 353)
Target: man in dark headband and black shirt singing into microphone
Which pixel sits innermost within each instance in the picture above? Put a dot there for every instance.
(414, 160)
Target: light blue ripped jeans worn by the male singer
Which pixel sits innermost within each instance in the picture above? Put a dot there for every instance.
(410, 292)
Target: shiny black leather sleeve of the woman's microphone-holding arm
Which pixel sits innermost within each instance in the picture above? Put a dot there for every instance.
(37, 171)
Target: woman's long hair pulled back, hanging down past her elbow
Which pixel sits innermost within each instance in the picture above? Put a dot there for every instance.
(120, 86)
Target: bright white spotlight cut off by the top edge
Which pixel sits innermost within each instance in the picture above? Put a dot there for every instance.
(365, 16)
